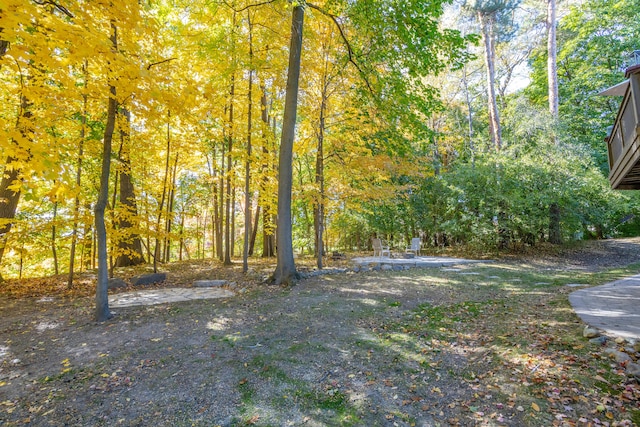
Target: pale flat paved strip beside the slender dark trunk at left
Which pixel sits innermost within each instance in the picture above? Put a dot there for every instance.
(161, 296)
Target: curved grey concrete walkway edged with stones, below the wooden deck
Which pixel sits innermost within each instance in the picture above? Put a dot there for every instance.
(613, 308)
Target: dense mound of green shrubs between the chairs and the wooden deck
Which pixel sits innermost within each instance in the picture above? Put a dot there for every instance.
(502, 200)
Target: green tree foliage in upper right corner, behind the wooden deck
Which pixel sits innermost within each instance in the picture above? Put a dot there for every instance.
(595, 40)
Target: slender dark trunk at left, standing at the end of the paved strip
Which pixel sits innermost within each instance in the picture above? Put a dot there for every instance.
(102, 298)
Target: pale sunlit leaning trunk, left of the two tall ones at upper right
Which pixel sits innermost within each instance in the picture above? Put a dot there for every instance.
(487, 23)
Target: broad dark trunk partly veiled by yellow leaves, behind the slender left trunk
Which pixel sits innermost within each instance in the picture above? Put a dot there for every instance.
(129, 245)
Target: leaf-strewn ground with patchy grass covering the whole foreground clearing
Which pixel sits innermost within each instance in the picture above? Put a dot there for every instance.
(487, 344)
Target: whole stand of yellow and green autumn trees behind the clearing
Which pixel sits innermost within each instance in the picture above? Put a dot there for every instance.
(163, 130)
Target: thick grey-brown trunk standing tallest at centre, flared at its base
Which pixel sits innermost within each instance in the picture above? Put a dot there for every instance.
(285, 272)
